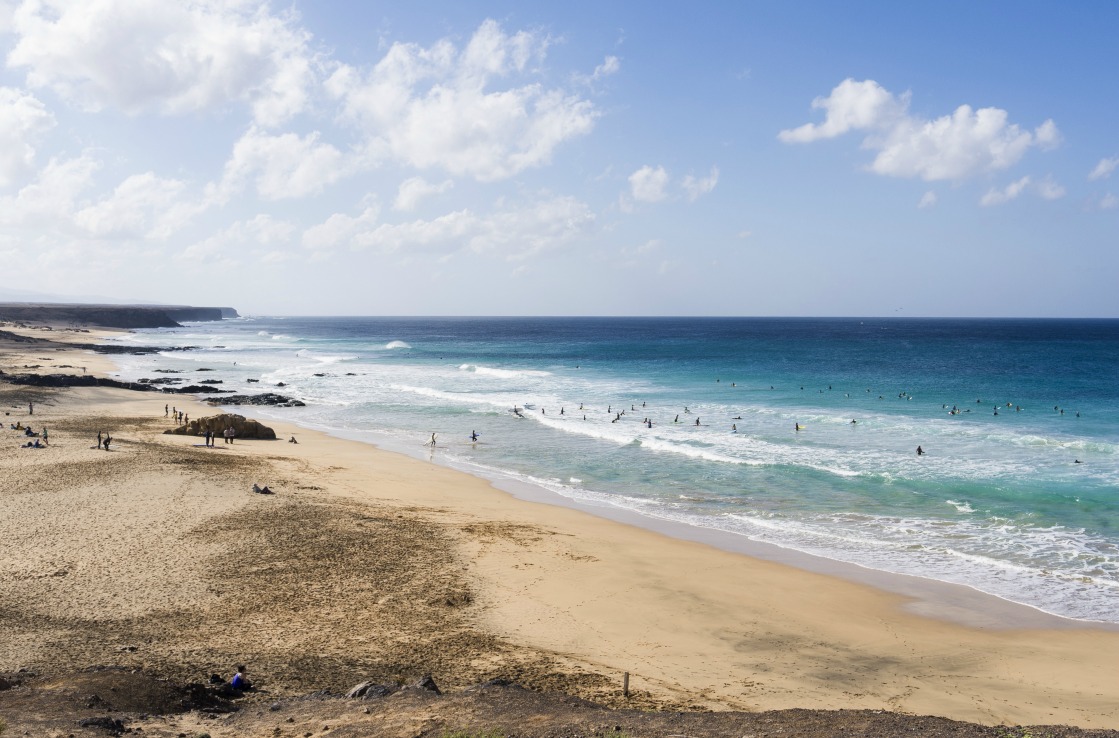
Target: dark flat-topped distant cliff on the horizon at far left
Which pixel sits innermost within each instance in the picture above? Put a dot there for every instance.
(110, 316)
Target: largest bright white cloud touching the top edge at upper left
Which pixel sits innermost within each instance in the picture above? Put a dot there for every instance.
(171, 58)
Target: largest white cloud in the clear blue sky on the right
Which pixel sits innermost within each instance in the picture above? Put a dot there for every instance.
(956, 147)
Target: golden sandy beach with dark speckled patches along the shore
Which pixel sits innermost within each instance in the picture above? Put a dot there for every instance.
(368, 565)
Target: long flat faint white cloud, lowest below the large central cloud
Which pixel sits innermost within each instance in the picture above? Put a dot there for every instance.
(513, 233)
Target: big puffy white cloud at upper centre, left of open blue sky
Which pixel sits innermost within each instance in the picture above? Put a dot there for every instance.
(443, 107)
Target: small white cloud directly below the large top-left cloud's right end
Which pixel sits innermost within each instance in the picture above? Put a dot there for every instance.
(281, 167)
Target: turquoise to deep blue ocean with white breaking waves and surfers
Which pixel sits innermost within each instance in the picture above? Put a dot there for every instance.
(694, 421)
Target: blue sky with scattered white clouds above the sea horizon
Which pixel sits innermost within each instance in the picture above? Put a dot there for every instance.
(363, 158)
